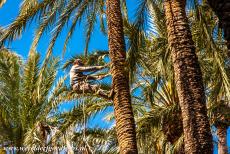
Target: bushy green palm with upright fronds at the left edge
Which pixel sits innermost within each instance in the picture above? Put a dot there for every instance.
(26, 98)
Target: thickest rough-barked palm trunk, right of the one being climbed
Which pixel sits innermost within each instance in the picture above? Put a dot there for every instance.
(188, 77)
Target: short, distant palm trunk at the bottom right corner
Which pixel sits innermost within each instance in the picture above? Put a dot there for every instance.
(222, 139)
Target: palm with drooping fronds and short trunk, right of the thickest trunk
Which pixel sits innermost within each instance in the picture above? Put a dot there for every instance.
(217, 77)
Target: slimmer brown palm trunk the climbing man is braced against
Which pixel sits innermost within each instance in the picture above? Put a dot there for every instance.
(125, 125)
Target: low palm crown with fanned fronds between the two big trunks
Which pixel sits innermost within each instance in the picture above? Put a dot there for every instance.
(159, 129)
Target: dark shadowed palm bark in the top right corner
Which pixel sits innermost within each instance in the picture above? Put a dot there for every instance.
(222, 10)
